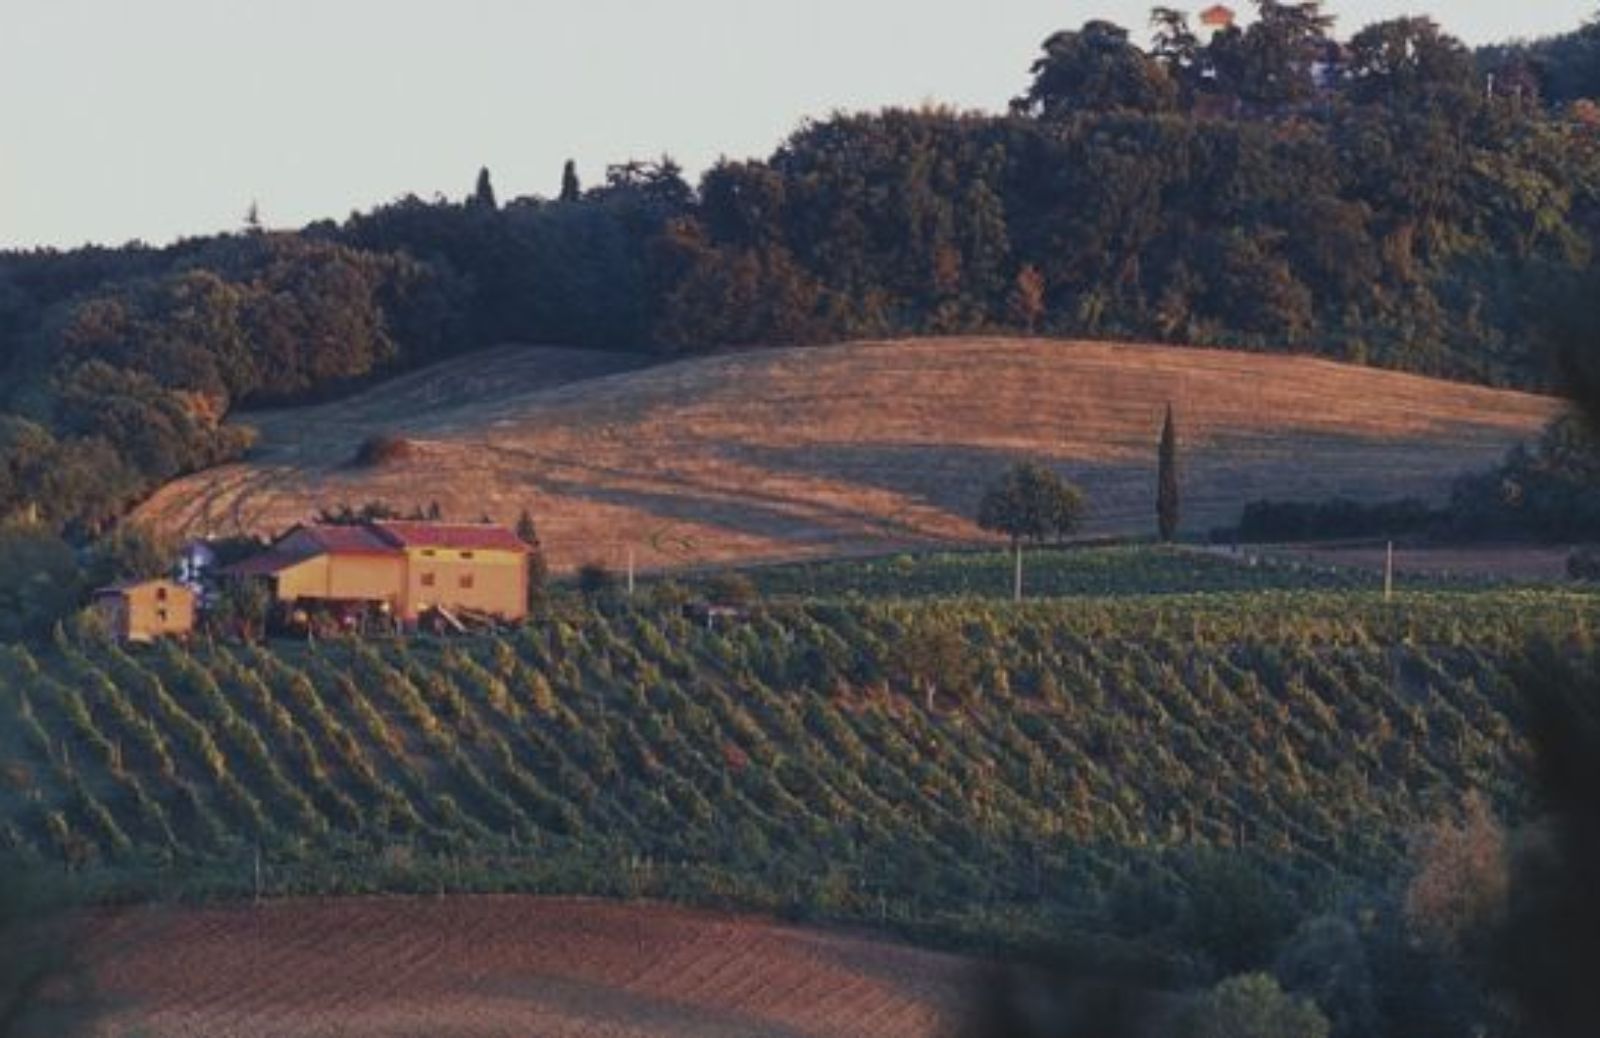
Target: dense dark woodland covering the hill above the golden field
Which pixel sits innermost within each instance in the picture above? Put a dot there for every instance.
(1390, 198)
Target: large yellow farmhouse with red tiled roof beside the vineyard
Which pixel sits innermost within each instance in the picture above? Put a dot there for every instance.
(398, 569)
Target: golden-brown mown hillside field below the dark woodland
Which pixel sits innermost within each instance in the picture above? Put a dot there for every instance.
(850, 449)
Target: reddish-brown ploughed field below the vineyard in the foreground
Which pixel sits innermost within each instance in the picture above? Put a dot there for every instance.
(514, 967)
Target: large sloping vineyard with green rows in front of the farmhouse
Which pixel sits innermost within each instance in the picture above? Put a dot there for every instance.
(1087, 767)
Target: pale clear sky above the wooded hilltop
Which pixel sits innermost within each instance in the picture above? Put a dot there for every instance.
(156, 119)
